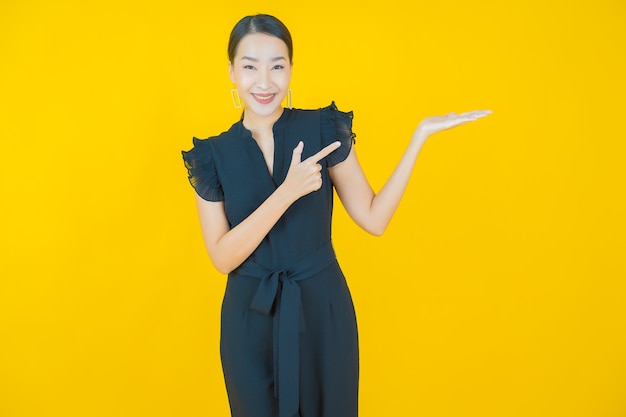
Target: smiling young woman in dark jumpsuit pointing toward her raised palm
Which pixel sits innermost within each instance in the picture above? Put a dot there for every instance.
(265, 195)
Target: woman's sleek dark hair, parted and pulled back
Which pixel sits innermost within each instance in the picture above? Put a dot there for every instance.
(260, 23)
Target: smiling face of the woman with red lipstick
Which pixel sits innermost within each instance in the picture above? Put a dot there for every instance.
(261, 72)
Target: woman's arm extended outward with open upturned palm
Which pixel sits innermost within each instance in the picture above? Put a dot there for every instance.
(372, 211)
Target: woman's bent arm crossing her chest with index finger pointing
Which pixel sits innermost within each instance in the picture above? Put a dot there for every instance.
(228, 248)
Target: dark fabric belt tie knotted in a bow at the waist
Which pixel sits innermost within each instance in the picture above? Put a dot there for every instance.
(278, 294)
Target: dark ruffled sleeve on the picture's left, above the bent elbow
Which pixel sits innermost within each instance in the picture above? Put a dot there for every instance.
(200, 165)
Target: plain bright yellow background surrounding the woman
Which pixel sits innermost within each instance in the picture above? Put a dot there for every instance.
(498, 289)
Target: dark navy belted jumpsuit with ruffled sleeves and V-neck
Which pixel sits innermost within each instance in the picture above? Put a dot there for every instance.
(289, 343)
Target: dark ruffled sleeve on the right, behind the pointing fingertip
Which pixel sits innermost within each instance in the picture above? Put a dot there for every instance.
(337, 125)
